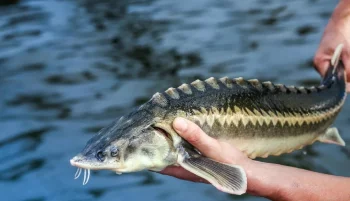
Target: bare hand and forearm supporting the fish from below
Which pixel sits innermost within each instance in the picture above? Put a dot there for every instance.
(272, 181)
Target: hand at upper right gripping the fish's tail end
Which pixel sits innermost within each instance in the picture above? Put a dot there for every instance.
(337, 31)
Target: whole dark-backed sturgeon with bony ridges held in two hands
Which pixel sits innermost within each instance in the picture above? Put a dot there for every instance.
(259, 118)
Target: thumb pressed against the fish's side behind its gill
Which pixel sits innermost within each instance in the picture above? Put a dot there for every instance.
(194, 135)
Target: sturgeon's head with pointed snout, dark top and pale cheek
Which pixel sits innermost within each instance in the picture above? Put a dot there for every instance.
(130, 144)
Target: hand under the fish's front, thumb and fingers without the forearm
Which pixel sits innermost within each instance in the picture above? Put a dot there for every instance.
(217, 150)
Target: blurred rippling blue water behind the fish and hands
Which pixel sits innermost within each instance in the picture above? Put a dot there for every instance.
(69, 67)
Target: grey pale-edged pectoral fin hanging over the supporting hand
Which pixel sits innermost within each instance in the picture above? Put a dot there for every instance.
(227, 178)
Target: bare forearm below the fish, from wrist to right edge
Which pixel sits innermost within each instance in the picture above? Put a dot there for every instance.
(278, 182)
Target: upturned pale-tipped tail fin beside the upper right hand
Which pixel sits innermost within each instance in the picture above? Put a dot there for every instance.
(336, 69)
